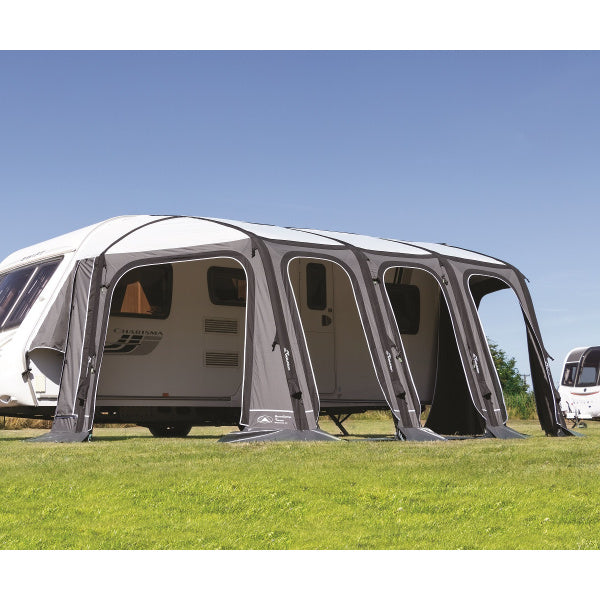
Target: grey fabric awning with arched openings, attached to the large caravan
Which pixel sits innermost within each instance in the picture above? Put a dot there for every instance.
(279, 390)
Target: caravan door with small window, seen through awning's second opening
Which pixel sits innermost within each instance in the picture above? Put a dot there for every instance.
(316, 310)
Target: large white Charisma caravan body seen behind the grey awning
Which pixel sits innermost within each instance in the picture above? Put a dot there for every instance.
(174, 348)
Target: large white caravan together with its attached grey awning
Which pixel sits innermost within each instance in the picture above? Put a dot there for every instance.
(174, 321)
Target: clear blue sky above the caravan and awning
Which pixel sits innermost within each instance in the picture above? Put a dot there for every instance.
(497, 152)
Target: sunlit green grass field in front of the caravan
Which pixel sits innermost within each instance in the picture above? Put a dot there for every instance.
(127, 490)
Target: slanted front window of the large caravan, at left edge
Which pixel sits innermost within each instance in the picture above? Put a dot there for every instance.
(20, 289)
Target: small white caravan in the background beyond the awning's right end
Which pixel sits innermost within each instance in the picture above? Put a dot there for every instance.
(579, 387)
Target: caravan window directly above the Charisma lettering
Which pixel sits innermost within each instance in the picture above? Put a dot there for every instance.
(144, 292)
